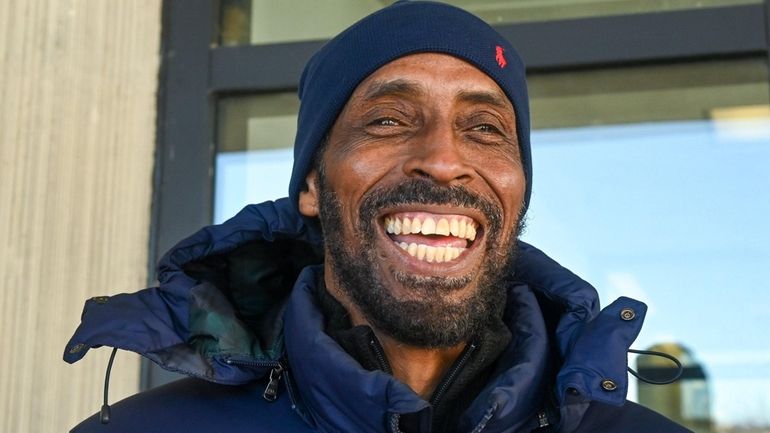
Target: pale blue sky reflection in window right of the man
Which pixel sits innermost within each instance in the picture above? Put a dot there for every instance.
(673, 214)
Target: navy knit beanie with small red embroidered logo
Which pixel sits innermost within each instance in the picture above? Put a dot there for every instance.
(406, 27)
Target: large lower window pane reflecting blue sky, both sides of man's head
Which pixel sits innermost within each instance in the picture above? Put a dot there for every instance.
(649, 181)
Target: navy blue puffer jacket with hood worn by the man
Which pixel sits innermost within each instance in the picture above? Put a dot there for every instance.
(234, 311)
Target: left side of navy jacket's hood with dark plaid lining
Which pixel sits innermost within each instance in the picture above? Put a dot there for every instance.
(215, 314)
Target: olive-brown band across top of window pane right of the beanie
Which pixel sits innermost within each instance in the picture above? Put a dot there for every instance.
(683, 91)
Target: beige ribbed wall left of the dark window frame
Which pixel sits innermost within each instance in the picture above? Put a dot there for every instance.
(78, 81)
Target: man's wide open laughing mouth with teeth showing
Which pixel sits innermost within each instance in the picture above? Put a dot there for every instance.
(429, 237)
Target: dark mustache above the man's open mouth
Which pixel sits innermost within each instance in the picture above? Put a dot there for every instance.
(423, 191)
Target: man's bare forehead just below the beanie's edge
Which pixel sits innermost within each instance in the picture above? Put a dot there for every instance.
(430, 73)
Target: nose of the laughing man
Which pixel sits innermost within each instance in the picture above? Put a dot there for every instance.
(437, 154)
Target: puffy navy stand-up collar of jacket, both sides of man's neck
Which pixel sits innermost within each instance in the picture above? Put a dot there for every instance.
(347, 397)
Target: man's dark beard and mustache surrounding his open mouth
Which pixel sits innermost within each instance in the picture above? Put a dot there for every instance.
(426, 318)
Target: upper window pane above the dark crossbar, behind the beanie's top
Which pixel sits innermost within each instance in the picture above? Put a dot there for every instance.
(270, 21)
